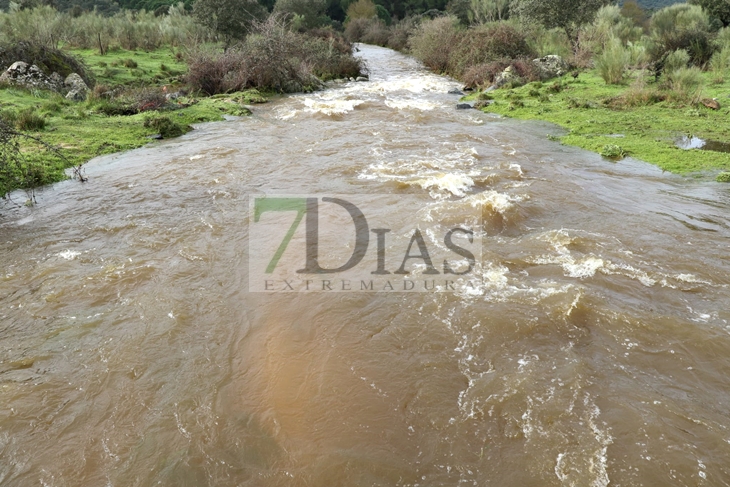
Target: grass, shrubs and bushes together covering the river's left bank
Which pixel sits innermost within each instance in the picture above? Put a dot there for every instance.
(151, 75)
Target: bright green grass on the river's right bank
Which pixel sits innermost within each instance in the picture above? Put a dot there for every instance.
(645, 132)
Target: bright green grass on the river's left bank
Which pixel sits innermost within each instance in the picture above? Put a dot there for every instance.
(81, 131)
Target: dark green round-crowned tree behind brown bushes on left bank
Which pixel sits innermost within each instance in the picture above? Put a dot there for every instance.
(230, 18)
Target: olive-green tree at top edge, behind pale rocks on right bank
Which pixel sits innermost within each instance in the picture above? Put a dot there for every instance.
(568, 15)
